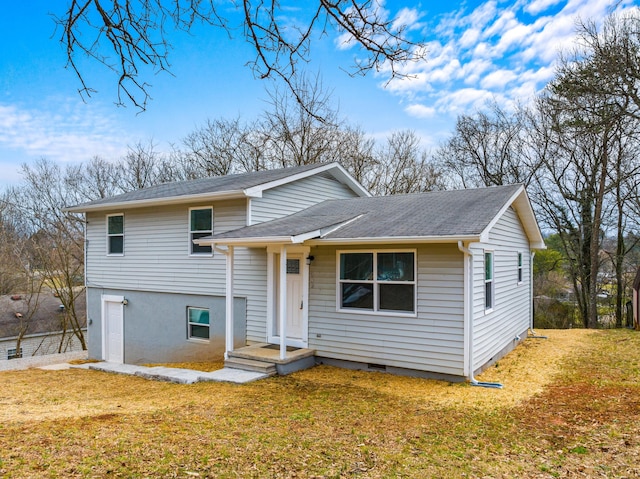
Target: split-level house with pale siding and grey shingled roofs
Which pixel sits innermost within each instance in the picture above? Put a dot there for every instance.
(433, 284)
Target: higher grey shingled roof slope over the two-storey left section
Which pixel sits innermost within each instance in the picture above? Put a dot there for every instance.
(217, 184)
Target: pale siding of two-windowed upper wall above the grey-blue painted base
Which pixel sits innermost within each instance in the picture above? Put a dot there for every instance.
(156, 258)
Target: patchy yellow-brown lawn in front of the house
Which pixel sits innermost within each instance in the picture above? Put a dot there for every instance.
(570, 407)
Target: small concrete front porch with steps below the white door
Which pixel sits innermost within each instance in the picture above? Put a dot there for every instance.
(265, 358)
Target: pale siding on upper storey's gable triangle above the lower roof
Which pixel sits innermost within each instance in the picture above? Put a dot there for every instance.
(293, 197)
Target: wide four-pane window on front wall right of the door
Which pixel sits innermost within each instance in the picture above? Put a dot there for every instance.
(377, 281)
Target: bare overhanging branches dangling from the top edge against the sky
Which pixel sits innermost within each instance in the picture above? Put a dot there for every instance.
(131, 36)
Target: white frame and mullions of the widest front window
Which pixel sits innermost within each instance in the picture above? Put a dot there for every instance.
(376, 311)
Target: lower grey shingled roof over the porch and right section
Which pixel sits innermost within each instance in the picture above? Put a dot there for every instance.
(455, 213)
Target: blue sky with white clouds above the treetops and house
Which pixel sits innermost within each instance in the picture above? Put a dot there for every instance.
(476, 51)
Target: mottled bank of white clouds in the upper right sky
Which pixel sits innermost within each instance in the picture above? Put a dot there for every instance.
(497, 50)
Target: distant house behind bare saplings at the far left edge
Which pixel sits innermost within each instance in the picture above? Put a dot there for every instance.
(38, 322)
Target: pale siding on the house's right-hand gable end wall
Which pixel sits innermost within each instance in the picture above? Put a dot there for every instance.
(496, 329)
